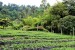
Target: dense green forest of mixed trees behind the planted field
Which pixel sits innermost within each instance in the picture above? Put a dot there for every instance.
(59, 18)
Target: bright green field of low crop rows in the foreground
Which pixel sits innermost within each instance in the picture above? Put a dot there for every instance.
(29, 40)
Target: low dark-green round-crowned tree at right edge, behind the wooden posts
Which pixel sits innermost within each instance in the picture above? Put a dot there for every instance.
(68, 24)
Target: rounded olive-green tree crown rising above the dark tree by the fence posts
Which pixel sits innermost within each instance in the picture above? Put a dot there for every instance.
(60, 9)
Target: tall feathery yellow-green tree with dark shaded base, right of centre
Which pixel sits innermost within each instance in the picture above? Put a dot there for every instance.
(50, 20)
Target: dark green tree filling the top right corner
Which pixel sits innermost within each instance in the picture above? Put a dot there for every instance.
(70, 5)
